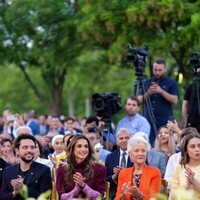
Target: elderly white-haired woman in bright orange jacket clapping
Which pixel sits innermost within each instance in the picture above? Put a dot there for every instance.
(140, 181)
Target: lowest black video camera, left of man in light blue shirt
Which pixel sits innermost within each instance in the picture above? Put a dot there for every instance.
(106, 105)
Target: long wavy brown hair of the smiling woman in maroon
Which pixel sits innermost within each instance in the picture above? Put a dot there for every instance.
(71, 162)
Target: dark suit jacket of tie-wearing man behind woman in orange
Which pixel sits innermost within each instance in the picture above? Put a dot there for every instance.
(112, 160)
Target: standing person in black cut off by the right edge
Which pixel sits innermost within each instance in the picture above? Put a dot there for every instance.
(191, 103)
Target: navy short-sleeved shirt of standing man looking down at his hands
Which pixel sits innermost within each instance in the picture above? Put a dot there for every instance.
(162, 109)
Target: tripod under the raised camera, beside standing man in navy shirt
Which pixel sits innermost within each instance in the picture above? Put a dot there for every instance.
(139, 87)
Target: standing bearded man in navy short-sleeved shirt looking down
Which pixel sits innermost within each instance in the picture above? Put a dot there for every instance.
(162, 93)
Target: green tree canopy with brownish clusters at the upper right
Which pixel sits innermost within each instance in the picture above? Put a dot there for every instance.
(169, 27)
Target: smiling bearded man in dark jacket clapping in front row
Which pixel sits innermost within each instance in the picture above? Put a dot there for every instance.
(36, 176)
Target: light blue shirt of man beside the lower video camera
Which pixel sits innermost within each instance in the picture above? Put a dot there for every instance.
(134, 124)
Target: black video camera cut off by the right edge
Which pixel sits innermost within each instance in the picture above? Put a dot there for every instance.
(194, 63)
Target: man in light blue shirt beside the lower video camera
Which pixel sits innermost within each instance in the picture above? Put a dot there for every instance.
(133, 121)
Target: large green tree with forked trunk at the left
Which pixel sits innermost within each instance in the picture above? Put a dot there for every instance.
(40, 34)
